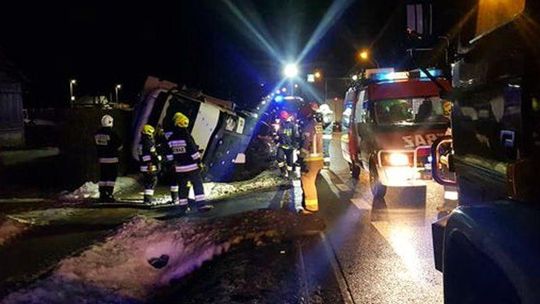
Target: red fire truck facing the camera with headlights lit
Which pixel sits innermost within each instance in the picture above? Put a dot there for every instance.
(390, 121)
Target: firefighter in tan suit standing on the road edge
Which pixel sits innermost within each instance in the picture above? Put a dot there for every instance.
(311, 156)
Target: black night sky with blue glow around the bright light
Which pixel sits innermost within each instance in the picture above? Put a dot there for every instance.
(198, 43)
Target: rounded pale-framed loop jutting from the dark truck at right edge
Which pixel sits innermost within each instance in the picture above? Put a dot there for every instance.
(442, 161)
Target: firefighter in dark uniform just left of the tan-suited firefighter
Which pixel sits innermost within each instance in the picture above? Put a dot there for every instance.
(286, 135)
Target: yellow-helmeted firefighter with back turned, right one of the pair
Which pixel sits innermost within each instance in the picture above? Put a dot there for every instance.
(187, 158)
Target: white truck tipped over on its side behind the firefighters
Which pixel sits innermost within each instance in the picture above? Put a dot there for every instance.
(222, 132)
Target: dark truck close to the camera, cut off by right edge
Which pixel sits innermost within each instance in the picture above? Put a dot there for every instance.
(488, 248)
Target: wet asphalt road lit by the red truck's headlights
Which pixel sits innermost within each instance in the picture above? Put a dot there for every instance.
(383, 248)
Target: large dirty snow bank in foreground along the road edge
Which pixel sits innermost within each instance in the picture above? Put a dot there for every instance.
(118, 270)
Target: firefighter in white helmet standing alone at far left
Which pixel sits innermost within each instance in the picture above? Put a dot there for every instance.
(108, 144)
